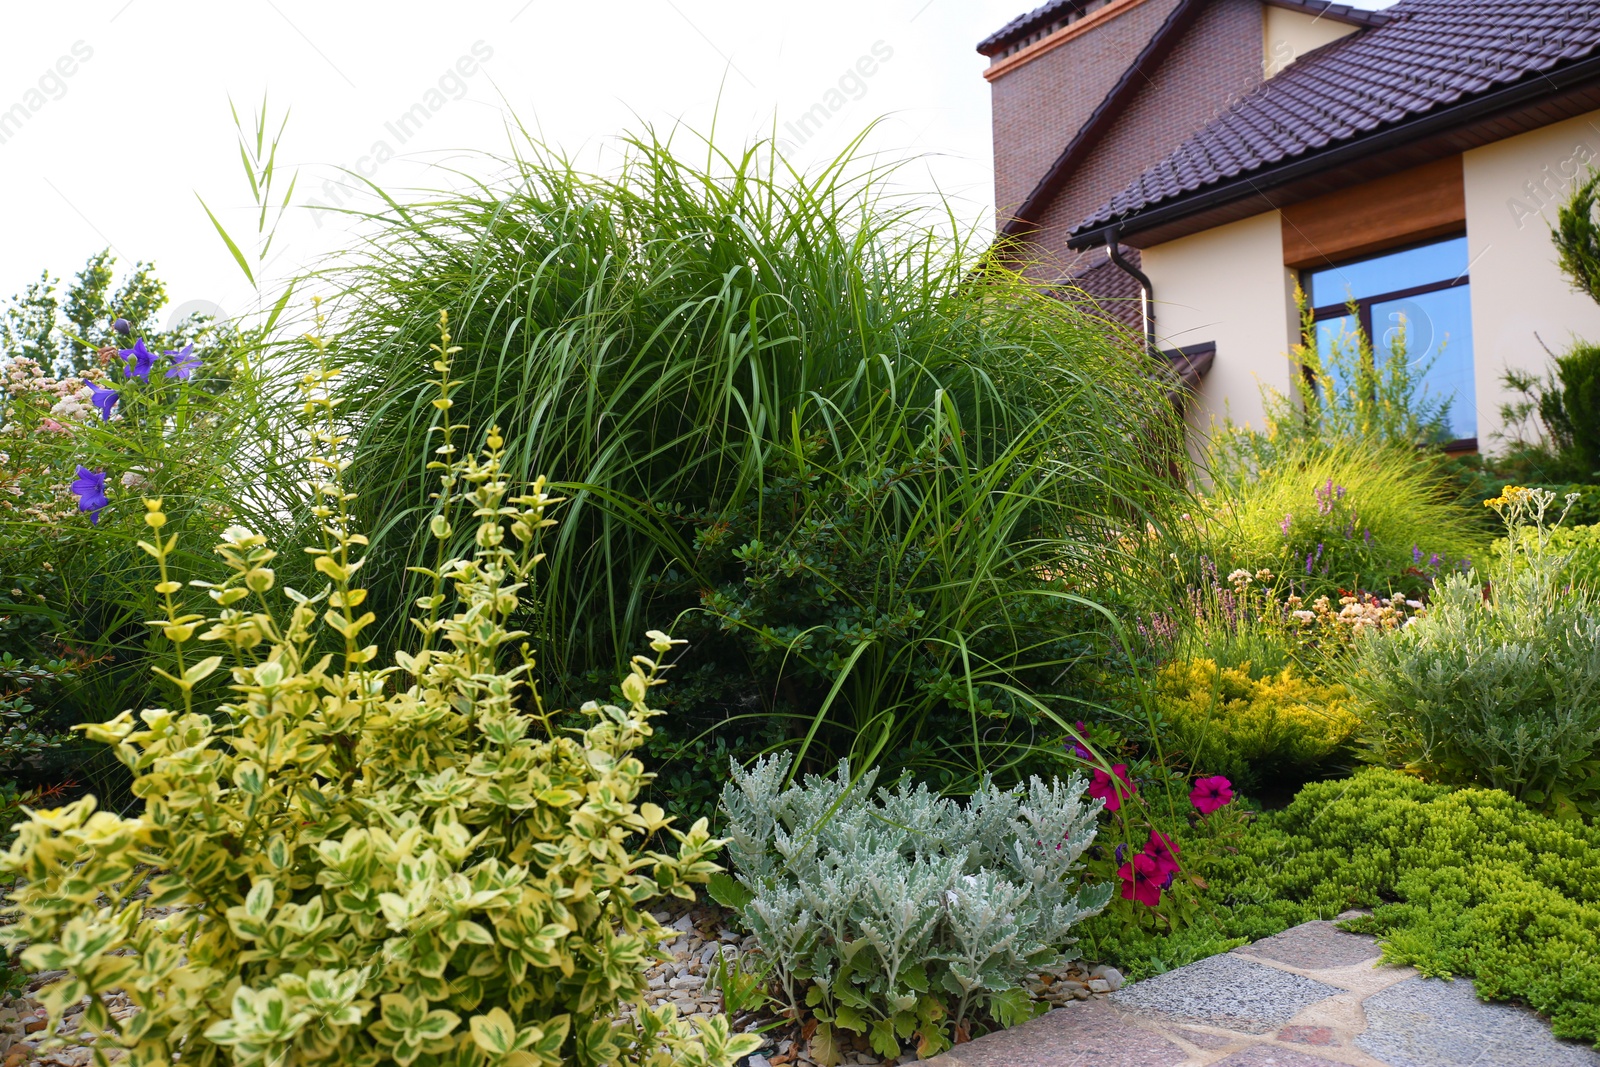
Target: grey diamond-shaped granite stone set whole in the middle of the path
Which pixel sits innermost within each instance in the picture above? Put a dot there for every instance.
(1225, 991)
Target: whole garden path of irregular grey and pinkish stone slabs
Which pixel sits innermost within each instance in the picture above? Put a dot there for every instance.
(1308, 997)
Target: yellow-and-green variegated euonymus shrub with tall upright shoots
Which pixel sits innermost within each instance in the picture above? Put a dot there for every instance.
(364, 863)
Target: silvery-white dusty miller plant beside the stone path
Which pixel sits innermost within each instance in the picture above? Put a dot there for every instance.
(903, 913)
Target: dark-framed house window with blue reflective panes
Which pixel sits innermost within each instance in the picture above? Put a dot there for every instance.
(1423, 289)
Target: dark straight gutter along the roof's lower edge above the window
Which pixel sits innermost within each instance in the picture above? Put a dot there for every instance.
(1535, 87)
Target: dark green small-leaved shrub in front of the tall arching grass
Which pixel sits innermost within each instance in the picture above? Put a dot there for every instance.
(900, 601)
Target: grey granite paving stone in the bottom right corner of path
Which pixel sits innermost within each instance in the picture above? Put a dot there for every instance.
(1433, 1023)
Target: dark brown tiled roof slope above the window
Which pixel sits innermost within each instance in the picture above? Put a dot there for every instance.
(1428, 55)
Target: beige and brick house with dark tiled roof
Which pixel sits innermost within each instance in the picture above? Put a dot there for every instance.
(1186, 164)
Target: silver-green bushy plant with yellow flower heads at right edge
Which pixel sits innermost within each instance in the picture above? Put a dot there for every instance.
(1500, 684)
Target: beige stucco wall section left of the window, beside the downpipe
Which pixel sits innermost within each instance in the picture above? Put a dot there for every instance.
(1228, 286)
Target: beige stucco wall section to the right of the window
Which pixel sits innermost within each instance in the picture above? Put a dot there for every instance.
(1519, 297)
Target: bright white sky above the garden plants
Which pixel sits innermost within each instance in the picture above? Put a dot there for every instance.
(119, 150)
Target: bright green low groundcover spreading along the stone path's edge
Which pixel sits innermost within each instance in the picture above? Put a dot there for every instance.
(1462, 884)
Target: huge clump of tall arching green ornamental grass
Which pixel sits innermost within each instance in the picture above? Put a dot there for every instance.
(735, 356)
